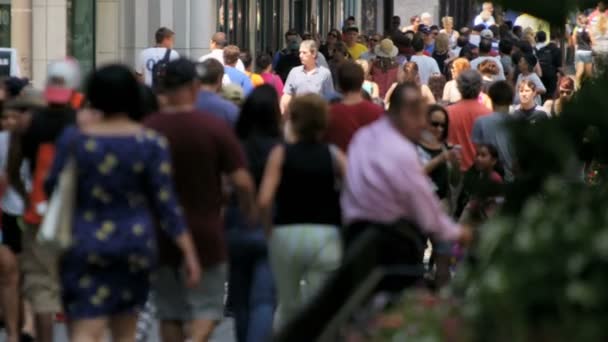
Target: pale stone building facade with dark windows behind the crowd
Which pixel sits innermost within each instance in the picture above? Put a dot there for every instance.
(101, 31)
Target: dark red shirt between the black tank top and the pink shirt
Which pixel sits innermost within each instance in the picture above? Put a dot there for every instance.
(345, 121)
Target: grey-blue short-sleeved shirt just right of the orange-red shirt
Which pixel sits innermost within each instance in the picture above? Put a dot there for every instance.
(491, 129)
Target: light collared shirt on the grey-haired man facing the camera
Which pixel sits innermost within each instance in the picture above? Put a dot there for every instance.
(318, 81)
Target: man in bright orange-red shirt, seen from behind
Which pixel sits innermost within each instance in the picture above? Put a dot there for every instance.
(463, 115)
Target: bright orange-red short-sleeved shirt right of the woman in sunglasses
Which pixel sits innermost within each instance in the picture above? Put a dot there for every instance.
(462, 118)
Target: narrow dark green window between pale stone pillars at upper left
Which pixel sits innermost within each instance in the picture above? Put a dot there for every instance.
(81, 32)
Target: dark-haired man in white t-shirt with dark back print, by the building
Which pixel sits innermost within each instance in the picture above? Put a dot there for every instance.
(165, 39)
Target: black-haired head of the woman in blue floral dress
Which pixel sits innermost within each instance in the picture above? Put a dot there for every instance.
(114, 91)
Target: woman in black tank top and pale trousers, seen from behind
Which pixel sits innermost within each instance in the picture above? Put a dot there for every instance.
(301, 187)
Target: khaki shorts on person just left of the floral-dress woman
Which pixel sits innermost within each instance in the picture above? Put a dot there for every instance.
(39, 267)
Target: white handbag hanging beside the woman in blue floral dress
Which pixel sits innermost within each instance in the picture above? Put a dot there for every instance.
(56, 228)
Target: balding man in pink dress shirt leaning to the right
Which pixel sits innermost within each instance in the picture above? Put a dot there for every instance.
(385, 181)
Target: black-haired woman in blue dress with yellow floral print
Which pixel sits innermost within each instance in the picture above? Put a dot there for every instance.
(123, 188)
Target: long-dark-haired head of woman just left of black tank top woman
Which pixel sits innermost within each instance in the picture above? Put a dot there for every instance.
(260, 114)
